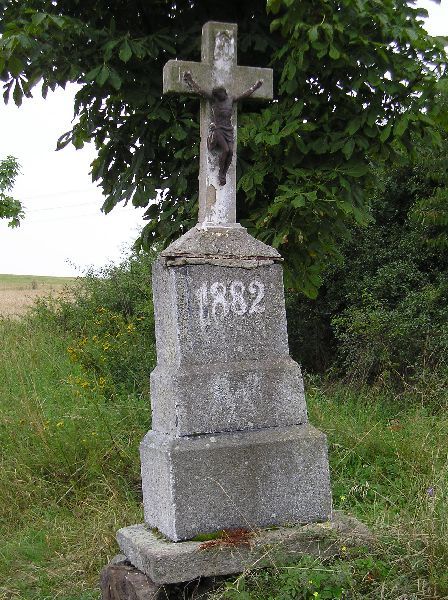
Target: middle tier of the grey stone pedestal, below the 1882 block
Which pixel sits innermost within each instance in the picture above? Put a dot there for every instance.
(237, 396)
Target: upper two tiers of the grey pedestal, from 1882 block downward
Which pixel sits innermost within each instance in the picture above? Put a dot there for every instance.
(223, 361)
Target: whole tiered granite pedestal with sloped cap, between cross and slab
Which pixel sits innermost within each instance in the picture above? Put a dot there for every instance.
(230, 445)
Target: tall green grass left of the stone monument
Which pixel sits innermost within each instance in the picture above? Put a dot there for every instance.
(69, 472)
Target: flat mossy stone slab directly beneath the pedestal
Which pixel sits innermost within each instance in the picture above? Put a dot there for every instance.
(168, 562)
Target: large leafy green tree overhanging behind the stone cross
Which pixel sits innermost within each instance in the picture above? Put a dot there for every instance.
(353, 80)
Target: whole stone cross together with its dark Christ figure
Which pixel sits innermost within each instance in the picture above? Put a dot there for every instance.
(220, 83)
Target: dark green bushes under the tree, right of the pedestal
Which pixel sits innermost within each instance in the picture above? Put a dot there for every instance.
(382, 313)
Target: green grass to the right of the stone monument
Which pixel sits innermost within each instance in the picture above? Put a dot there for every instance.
(389, 467)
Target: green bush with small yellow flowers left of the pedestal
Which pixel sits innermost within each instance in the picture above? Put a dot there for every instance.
(109, 314)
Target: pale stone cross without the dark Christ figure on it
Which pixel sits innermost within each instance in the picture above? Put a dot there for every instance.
(218, 68)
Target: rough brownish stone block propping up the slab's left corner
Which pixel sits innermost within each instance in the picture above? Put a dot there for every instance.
(120, 580)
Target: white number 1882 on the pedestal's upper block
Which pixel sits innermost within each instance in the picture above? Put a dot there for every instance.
(218, 301)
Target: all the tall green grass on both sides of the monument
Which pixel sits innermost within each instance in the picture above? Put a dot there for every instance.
(69, 479)
